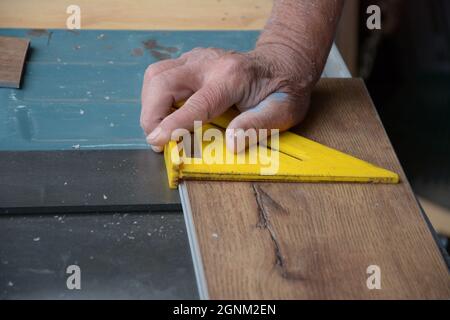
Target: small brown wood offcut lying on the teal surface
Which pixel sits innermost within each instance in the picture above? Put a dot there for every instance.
(12, 57)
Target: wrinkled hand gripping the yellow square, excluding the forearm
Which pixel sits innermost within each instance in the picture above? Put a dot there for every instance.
(271, 92)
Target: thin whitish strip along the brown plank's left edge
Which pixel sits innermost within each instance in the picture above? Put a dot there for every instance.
(193, 243)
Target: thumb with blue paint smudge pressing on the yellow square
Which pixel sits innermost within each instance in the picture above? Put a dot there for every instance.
(277, 111)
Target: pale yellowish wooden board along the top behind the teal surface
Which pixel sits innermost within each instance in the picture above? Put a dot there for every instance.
(140, 14)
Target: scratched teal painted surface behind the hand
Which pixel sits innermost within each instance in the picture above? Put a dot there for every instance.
(82, 89)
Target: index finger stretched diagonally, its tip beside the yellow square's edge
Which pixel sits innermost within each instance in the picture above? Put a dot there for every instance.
(204, 105)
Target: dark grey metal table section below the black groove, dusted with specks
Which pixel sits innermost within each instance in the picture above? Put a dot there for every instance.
(122, 255)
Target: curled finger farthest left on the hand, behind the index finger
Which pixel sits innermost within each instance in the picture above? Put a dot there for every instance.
(159, 95)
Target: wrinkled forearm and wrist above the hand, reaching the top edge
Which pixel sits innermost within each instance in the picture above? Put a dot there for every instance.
(301, 32)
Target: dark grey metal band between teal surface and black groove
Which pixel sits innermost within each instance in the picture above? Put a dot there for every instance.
(84, 181)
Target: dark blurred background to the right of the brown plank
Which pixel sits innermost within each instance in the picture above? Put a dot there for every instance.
(406, 66)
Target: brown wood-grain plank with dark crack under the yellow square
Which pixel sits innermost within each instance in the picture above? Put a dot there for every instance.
(298, 241)
